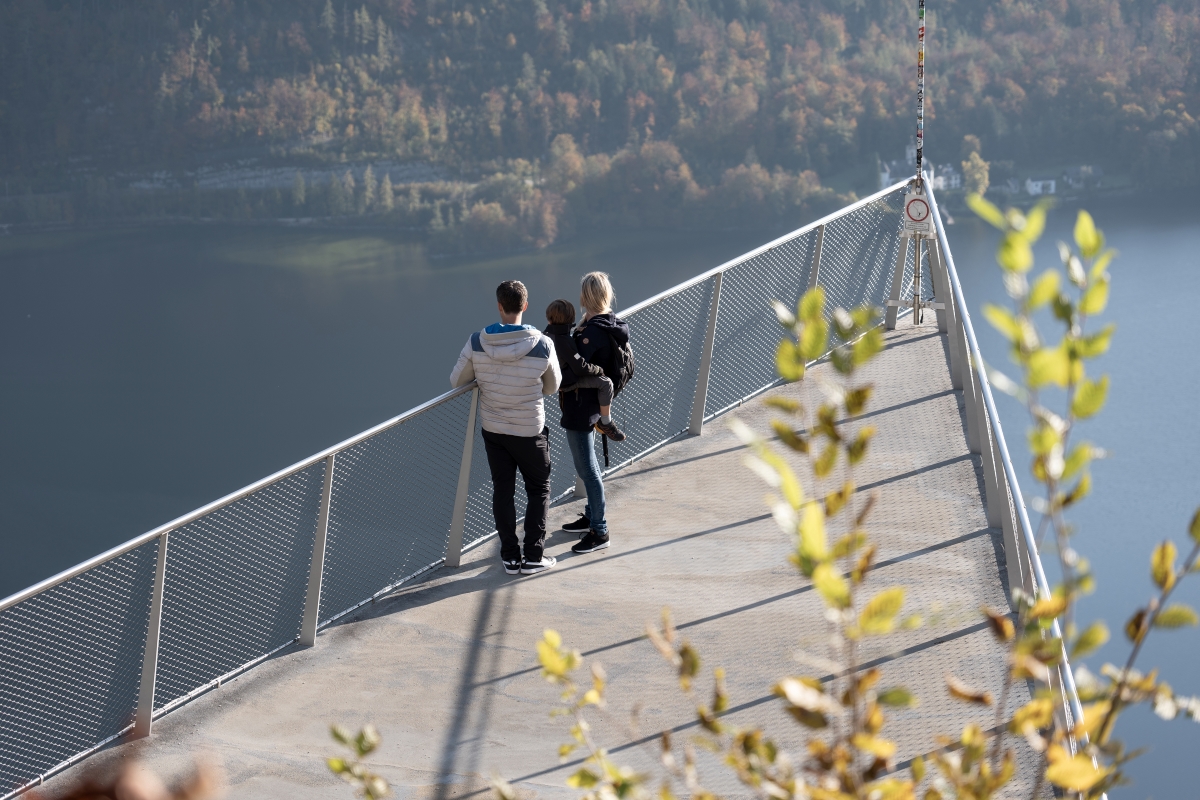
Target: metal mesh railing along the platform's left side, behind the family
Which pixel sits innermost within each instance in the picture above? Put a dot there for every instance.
(266, 567)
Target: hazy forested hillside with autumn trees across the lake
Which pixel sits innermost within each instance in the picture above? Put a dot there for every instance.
(674, 100)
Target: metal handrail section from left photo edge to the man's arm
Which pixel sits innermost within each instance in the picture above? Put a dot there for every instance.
(233, 497)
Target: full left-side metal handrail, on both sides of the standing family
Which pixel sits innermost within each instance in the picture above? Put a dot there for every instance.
(233, 497)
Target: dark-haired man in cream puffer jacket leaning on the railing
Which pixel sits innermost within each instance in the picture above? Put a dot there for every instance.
(515, 366)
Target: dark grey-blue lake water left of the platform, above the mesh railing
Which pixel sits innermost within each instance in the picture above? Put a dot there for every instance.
(146, 372)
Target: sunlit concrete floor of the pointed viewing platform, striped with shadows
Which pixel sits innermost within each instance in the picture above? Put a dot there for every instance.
(446, 667)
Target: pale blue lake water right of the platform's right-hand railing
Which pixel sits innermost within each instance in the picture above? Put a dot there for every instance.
(1150, 486)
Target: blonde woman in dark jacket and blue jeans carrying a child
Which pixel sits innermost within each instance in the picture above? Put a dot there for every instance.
(597, 340)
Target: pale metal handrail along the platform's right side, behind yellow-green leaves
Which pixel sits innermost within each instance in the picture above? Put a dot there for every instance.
(1015, 486)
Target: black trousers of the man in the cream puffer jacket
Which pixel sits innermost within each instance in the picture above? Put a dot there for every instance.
(506, 455)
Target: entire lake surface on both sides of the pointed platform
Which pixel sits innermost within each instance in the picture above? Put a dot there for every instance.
(148, 371)
